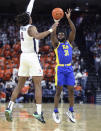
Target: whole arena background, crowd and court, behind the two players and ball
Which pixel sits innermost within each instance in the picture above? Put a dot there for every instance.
(86, 15)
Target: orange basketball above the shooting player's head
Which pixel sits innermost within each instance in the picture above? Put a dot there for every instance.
(57, 13)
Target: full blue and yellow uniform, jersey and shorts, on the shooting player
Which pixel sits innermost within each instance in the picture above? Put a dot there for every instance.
(64, 72)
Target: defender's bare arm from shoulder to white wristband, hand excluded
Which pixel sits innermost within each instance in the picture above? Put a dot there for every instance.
(32, 31)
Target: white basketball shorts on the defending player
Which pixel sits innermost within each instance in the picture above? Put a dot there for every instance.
(29, 65)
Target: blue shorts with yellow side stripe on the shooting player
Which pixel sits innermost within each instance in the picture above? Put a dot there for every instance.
(64, 76)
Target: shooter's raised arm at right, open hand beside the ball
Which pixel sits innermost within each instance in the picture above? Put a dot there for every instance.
(72, 26)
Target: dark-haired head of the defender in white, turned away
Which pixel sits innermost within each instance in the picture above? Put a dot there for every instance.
(23, 19)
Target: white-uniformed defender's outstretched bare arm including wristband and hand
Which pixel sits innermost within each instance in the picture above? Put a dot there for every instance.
(33, 32)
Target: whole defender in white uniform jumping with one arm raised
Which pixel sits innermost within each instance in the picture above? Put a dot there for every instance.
(29, 62)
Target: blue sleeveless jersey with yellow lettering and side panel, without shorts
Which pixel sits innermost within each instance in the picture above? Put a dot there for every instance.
(64, 53)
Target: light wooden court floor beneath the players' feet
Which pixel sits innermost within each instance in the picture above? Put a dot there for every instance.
(88, 118)
